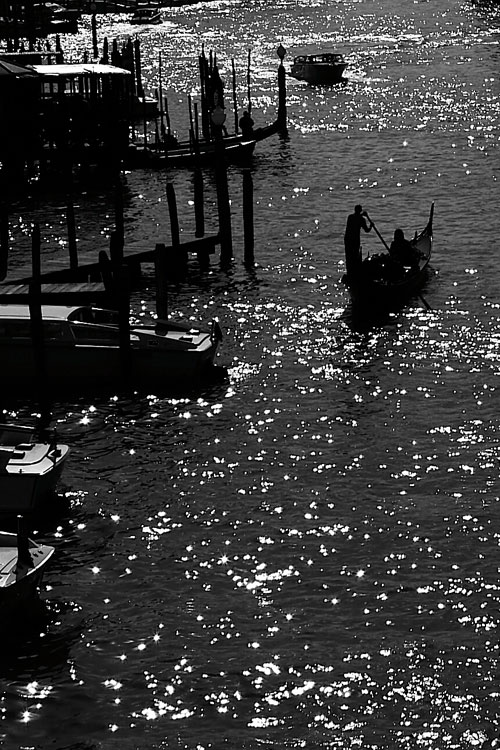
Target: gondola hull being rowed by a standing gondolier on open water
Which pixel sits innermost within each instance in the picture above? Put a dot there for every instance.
(383, 285)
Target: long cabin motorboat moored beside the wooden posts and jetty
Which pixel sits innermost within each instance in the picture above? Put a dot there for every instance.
(84, 346)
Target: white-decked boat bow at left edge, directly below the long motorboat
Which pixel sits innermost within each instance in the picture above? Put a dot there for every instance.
(29, 470)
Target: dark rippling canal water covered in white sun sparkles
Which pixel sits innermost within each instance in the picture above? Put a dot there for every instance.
(308, 556)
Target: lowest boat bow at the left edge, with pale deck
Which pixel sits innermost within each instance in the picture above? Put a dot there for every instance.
(22, 565)
